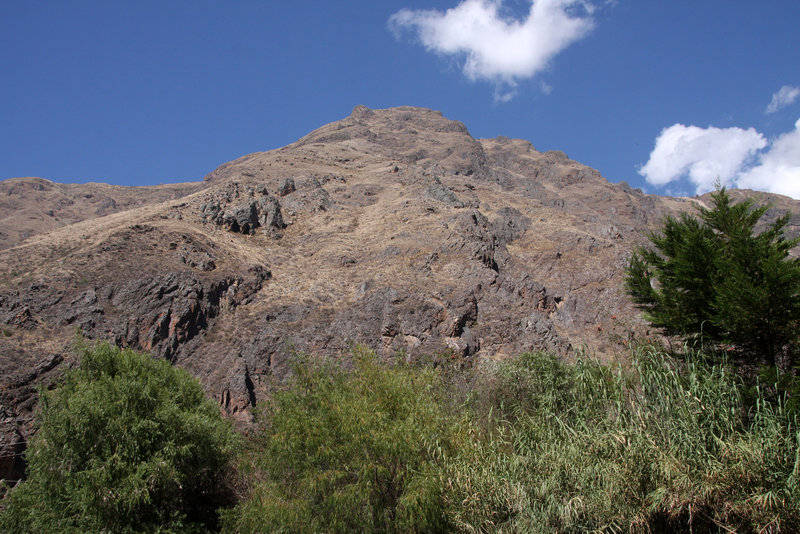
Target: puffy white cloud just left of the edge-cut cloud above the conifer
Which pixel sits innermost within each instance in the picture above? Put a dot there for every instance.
(704, 155)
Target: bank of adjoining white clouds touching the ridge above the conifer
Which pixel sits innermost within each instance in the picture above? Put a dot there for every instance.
(737, 157)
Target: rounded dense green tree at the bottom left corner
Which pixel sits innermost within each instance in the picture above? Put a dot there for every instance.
(126, 443)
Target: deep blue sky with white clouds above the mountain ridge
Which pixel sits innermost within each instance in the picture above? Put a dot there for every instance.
(666, 95)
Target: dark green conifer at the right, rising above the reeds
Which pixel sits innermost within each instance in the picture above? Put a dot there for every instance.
(716, 279)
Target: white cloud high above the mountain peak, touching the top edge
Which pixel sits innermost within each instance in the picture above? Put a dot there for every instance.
(495, 48)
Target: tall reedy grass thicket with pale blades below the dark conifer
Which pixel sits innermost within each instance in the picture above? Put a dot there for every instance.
(661, 446)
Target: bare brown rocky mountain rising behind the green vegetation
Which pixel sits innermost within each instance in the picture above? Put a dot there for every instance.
(391, 228)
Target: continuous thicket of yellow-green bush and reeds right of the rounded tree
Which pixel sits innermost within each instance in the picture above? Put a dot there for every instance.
(538, 445)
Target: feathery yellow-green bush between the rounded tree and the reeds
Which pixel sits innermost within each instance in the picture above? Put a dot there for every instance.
(347, 451)
